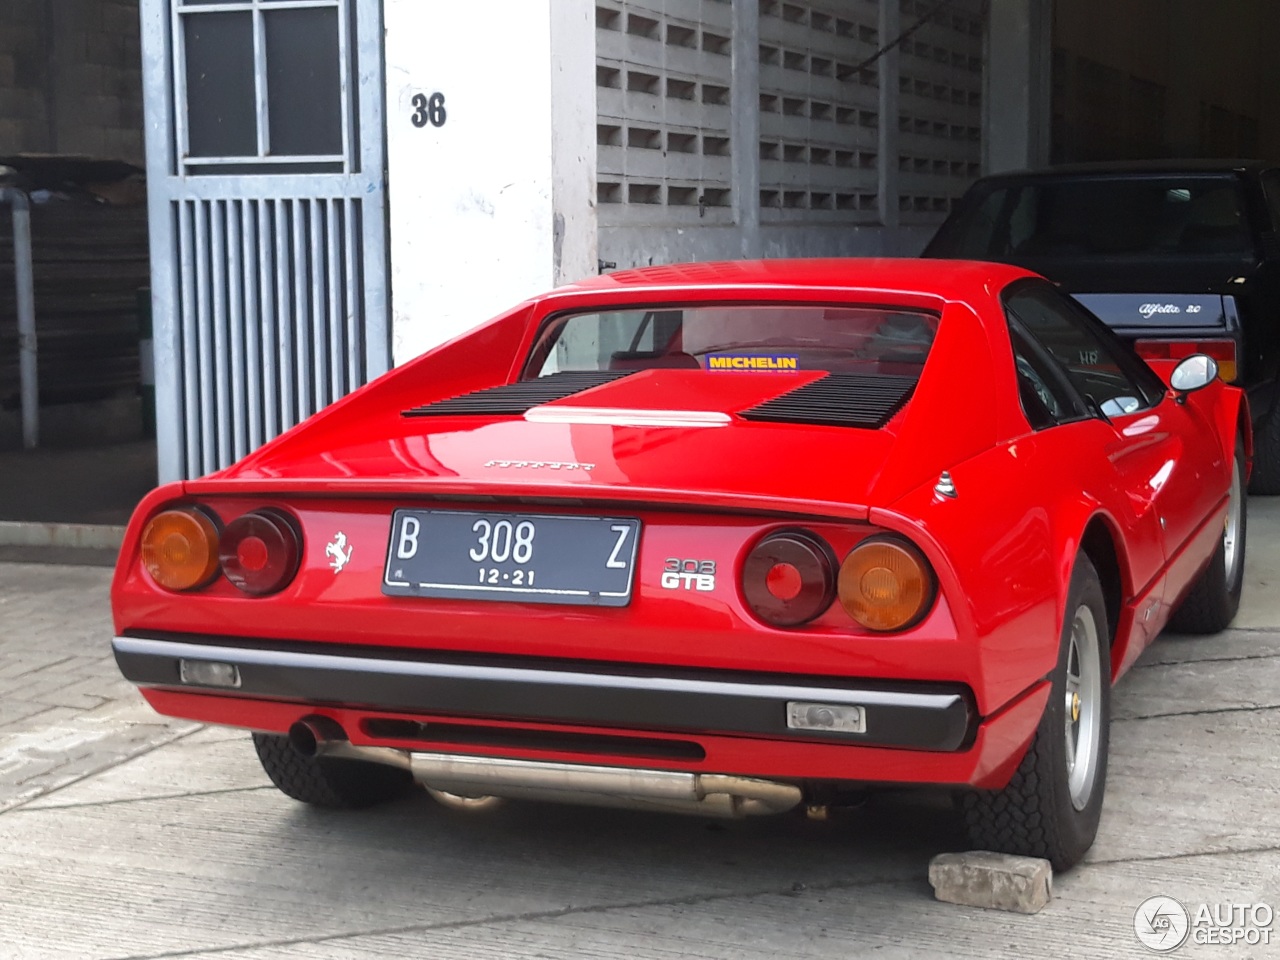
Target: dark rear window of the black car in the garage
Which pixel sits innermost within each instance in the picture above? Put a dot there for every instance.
(1082, 220)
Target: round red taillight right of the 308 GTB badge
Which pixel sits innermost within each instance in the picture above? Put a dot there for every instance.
(790, 578)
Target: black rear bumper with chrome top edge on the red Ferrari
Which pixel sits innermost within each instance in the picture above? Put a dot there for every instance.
(918, 716)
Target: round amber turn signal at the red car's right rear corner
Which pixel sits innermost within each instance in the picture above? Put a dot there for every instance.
(885, 584)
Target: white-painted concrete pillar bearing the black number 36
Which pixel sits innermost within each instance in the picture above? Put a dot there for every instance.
(491, 148)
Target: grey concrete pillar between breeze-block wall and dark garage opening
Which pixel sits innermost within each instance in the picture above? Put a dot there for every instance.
(1017, 107)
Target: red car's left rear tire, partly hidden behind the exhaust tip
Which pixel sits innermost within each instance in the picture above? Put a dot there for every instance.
(326, 781)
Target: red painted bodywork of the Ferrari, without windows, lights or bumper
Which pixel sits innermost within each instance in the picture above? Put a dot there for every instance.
(1003, 550)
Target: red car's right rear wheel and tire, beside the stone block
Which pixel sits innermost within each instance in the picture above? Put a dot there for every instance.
(1054, 802)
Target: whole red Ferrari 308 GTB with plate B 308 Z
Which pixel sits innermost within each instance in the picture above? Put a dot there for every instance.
(723, 537)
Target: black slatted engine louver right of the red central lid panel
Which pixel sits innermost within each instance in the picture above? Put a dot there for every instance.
(839, 400)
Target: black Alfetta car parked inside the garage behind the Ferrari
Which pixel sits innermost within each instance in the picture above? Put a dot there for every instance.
(1177, 257)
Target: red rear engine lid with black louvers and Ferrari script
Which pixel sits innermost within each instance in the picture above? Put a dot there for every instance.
(742, 441)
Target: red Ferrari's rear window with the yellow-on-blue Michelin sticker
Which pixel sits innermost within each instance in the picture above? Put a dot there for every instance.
(739, 340)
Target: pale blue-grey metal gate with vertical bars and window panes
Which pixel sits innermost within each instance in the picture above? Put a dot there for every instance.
(267, 196)
